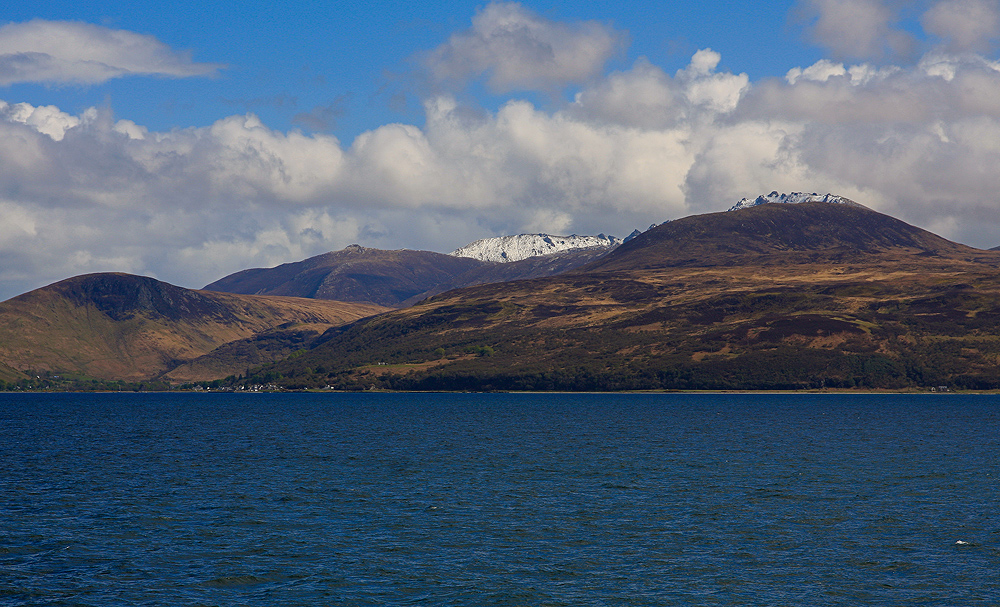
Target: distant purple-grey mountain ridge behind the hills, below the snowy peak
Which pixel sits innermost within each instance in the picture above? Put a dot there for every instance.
(391, 278)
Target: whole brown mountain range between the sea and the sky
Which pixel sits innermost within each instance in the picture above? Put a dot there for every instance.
(805, 295)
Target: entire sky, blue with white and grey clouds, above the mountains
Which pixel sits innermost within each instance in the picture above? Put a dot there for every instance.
(189, 140)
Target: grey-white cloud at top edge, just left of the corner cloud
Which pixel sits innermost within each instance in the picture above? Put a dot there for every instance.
(858, 29)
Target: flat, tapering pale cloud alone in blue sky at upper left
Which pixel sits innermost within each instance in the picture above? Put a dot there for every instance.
(82, 53)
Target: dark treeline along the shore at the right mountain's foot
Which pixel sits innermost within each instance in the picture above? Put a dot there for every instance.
(780, 369)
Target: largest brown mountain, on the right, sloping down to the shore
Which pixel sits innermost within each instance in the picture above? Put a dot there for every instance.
(775, 296)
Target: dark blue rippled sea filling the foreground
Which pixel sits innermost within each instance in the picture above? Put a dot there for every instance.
(224, 499)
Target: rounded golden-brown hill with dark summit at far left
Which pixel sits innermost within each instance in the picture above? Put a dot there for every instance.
(125, 327)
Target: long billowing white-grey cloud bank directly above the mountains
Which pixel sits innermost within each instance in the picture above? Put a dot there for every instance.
(88, 192)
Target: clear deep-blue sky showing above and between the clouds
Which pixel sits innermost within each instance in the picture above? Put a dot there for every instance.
(357, 58)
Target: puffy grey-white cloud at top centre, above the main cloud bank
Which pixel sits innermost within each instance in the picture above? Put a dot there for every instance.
(520, 50)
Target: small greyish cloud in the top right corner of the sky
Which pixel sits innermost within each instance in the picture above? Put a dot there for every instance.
(964, 25)
